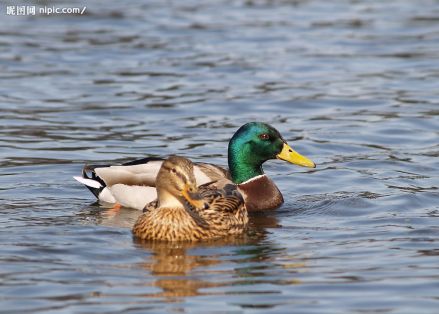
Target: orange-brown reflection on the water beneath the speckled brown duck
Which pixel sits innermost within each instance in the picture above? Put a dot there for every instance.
(178, 266)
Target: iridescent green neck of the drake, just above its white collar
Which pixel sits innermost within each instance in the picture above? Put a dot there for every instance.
(243, 166)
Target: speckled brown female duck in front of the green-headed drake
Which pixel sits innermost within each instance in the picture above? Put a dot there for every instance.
(184, 212)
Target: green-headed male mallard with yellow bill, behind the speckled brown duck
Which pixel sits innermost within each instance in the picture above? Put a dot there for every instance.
(133, 184)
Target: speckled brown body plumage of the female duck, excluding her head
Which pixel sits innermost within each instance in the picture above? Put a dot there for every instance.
(225, 214)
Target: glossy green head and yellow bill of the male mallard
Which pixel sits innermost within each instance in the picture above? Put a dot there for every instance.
(252, 145)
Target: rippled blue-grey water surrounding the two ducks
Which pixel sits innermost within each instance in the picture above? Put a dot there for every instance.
(351, 84)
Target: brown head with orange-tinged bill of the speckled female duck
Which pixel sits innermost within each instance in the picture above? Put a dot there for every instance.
(176, 184)
